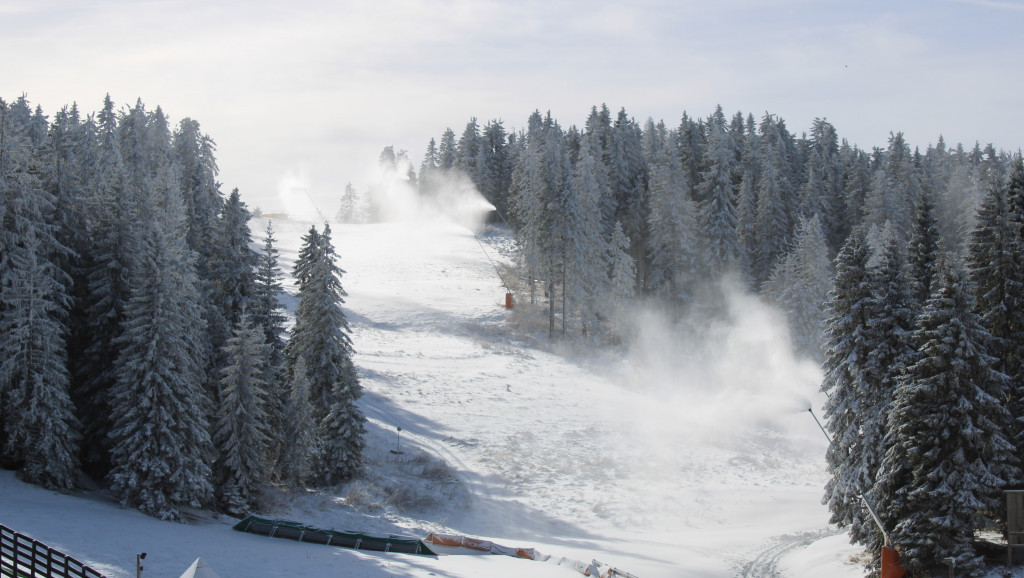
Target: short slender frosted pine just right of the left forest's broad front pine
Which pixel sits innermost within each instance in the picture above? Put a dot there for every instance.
(243, 429)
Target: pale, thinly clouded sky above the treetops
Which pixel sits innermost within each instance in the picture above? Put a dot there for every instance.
(308, 94)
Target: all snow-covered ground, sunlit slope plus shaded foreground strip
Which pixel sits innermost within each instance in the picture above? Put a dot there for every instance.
(659, 462)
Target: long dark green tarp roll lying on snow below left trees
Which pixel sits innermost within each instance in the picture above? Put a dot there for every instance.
(358, 541)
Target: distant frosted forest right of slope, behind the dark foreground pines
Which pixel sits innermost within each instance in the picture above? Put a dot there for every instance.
(614, 213)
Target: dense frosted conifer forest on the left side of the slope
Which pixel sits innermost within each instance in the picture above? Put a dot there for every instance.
(143, 339)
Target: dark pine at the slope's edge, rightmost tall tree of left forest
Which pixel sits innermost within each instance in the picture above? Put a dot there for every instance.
(321, 338)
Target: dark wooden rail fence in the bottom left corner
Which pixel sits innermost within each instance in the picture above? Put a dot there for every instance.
(23, 557)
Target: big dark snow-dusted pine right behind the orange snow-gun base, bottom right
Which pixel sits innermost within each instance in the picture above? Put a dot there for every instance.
(949, 458)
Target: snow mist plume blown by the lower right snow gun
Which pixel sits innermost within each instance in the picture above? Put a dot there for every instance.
(721, 375)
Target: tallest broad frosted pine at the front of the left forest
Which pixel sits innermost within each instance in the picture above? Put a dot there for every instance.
(160, 440)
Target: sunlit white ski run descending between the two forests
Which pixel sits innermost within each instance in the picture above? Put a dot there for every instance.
(552, 447)
